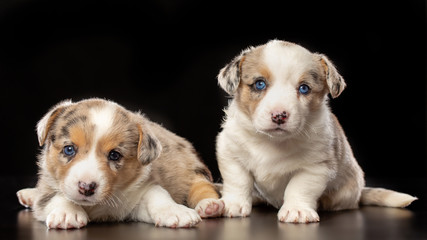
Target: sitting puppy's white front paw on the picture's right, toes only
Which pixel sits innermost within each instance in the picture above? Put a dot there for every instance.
(297, 215)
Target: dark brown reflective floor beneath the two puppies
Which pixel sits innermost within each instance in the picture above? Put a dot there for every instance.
(364, 223)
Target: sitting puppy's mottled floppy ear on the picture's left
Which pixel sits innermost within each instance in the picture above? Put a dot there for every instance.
(229, 76)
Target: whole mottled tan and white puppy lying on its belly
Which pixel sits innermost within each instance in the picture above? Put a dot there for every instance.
(101, 162)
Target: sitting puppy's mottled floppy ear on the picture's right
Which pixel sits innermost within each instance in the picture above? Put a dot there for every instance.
(334, 80)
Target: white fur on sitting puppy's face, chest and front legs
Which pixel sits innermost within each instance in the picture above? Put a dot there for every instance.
(284, 163)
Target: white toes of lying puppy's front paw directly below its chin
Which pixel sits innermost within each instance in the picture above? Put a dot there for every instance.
(66, 219)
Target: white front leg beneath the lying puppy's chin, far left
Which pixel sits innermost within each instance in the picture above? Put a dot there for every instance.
(63, 214)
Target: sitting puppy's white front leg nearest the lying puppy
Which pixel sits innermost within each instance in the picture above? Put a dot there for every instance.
(237, 189)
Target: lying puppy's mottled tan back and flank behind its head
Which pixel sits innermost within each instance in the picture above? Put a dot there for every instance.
(180, 170)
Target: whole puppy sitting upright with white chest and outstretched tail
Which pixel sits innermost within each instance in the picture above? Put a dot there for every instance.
(281, 139)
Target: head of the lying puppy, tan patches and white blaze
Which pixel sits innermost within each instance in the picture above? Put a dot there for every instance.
(94, 149)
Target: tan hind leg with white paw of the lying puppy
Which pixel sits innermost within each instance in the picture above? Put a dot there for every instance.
(204, 198)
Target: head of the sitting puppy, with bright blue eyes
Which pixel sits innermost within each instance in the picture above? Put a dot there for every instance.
(280, 86)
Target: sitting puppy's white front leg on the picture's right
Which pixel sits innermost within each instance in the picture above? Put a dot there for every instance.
(300, 199)
